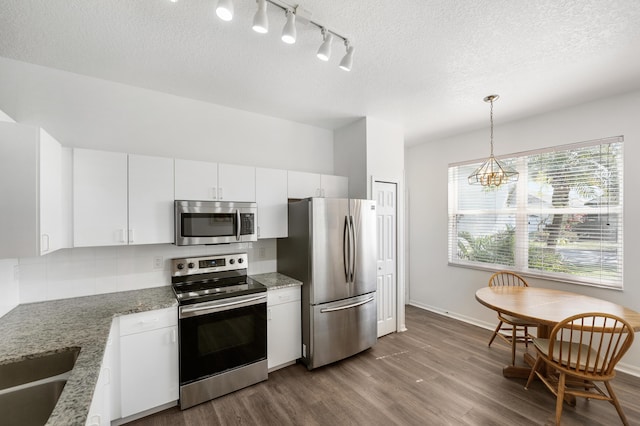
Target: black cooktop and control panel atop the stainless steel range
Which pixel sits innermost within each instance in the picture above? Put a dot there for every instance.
(202, 279)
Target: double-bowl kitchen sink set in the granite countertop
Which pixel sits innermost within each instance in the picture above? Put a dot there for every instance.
(30, 388)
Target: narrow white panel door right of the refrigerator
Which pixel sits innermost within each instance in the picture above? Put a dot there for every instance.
(385, 196)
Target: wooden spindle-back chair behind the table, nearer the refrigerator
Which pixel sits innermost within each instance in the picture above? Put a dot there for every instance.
(517, 328)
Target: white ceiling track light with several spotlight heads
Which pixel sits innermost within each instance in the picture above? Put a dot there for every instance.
(224, 10)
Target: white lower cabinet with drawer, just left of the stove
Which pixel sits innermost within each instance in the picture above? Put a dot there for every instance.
(148, 360)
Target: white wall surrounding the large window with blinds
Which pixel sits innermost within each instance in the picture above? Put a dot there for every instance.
(450, 290)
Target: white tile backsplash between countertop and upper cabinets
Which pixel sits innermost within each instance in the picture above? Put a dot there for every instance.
(96, 270)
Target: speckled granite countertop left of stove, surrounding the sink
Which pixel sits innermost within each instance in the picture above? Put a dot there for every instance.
(36, 329)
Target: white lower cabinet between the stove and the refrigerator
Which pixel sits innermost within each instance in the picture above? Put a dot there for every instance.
(284, 329)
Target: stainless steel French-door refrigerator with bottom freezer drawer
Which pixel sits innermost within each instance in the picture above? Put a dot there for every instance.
(331, 249)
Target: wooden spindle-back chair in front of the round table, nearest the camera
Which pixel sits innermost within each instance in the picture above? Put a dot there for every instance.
(585, 348)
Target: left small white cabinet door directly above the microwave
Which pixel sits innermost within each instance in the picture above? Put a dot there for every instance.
(196, 180)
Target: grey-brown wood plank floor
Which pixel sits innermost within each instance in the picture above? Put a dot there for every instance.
(439, 372)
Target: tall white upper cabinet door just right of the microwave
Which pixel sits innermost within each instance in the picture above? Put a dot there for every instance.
(271, 196)
